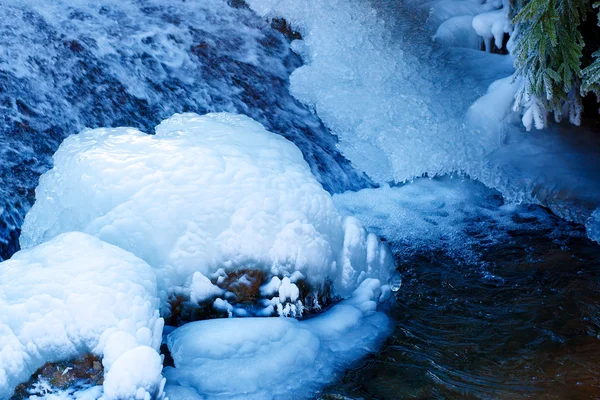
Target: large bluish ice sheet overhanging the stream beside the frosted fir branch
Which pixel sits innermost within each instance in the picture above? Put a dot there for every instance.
(403, 107)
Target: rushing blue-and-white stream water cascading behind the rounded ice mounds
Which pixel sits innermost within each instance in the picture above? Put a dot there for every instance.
(66, 65)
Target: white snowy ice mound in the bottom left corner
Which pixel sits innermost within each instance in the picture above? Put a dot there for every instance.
(75, 295)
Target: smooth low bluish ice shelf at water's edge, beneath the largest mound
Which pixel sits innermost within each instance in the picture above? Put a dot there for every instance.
(266, 358)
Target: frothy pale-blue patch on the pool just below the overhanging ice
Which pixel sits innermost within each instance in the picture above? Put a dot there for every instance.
(452, 214)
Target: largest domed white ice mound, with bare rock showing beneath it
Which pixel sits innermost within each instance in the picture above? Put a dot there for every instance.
(204, 193)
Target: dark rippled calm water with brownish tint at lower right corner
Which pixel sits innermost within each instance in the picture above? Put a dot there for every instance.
(524, 322)
